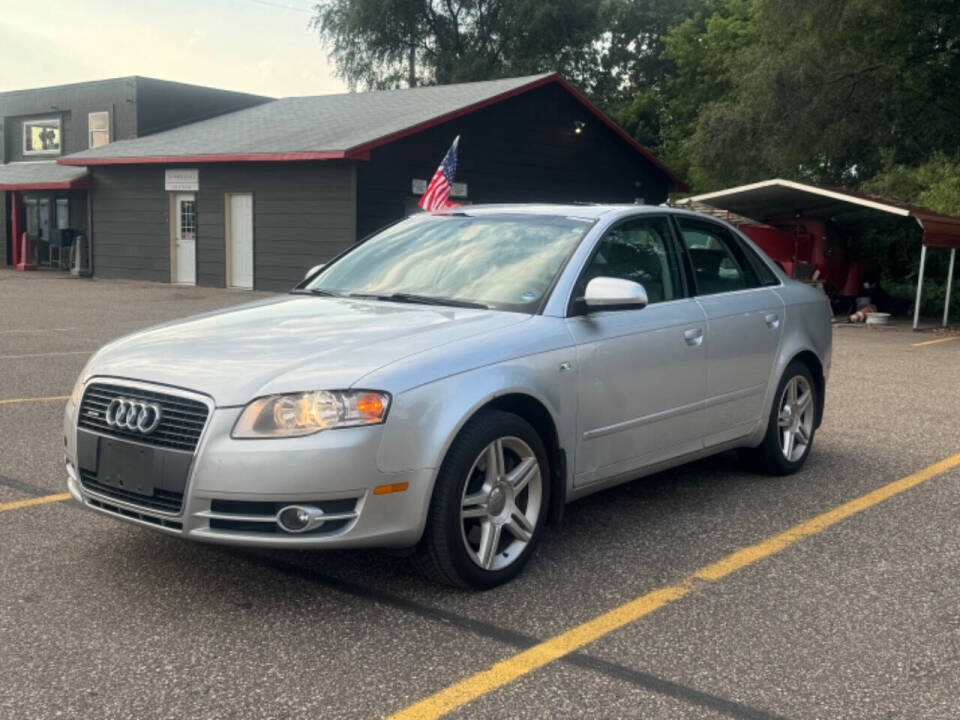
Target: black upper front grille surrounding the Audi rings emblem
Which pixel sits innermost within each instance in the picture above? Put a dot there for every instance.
(180, 426)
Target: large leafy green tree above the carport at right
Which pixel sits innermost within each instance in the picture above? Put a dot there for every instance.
(827, 91)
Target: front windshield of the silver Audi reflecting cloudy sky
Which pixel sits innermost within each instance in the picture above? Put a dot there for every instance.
(505, 261)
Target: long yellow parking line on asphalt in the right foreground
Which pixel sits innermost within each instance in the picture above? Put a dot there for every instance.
(521, 664)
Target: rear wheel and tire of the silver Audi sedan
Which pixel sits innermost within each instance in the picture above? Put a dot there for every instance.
(771, 455)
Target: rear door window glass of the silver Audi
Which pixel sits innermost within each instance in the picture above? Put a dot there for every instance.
(719, 264)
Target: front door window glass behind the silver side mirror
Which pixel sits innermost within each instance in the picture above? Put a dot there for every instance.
(640, 250)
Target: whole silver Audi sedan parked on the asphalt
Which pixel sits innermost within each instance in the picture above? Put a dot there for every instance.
(448, 384)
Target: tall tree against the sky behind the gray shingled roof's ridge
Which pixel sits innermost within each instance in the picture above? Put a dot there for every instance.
(386, 43)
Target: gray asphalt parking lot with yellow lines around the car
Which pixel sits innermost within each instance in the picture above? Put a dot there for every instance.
(854, 614)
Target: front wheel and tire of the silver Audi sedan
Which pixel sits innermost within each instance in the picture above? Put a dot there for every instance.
(481, 530)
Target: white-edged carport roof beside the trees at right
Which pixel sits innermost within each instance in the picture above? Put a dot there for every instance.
(773, 201)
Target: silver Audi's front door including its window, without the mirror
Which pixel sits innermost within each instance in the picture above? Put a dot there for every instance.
(642, 373)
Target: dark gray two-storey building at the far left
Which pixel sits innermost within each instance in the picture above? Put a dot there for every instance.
(41, 125)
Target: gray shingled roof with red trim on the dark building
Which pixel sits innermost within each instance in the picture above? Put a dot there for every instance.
(326, 127)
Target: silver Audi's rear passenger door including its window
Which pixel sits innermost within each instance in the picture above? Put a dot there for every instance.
(744, 321)
